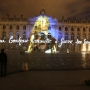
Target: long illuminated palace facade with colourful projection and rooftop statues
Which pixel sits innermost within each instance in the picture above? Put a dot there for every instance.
(43, 28)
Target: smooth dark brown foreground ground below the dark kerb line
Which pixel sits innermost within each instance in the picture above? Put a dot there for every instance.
(45, 80)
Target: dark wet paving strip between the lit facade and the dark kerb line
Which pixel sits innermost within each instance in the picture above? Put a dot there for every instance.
(43, 61)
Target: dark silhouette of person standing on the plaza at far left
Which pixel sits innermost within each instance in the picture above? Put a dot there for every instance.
(3, 59)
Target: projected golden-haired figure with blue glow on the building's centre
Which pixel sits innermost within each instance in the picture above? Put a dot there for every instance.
(43, 27)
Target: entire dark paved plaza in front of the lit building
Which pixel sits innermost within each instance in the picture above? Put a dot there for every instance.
(47, 72)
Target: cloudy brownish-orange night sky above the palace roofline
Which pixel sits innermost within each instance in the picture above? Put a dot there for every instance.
(54, 8)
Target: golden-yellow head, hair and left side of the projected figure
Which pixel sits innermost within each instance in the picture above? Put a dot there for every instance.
(41, 26)
